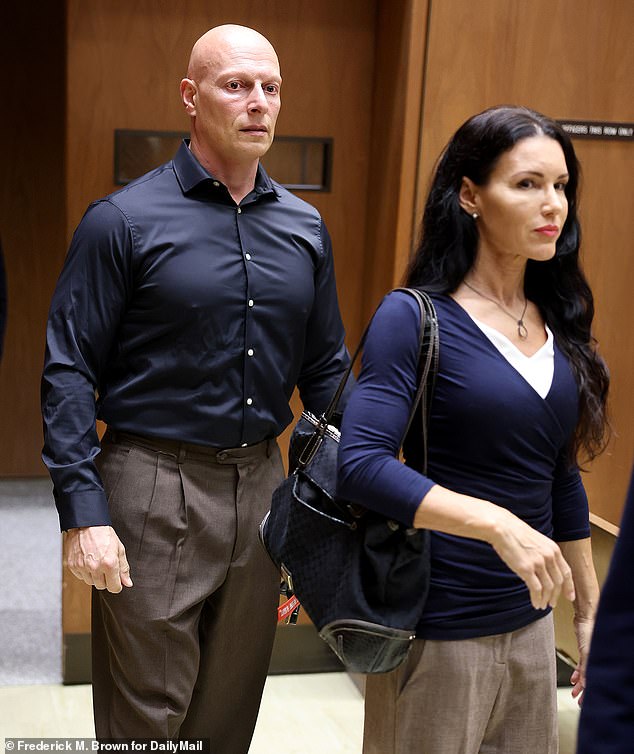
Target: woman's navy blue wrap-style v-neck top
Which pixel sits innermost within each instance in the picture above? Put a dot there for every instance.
(491, 436)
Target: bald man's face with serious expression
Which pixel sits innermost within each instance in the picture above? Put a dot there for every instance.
(236, 101)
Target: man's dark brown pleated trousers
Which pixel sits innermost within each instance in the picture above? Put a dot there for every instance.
(184, 653)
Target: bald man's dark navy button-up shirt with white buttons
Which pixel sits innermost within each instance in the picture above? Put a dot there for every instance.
(179, 314)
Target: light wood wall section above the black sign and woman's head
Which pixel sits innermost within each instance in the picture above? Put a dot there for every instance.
(568, 59)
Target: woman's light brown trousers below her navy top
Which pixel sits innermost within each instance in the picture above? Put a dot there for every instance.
(489, 695)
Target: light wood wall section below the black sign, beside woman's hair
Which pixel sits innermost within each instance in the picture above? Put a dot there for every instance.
(608, 229)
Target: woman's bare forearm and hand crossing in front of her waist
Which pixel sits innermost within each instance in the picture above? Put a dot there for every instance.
(535, 558)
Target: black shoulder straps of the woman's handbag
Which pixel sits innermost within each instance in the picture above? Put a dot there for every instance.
(428, 344)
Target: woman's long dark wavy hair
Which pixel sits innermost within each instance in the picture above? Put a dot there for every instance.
(449, 242)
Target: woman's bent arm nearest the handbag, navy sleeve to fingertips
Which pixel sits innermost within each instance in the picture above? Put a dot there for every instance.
(371, 475)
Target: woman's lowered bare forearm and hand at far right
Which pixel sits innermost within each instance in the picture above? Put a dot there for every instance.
(578, 555)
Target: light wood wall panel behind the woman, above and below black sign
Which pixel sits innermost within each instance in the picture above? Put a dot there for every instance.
(570, 59)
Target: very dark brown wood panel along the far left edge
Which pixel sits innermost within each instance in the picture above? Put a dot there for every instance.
(31, 216)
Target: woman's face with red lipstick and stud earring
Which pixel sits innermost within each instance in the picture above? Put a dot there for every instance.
(523, 206)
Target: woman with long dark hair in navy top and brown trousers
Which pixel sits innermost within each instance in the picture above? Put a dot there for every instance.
(519, 401)
